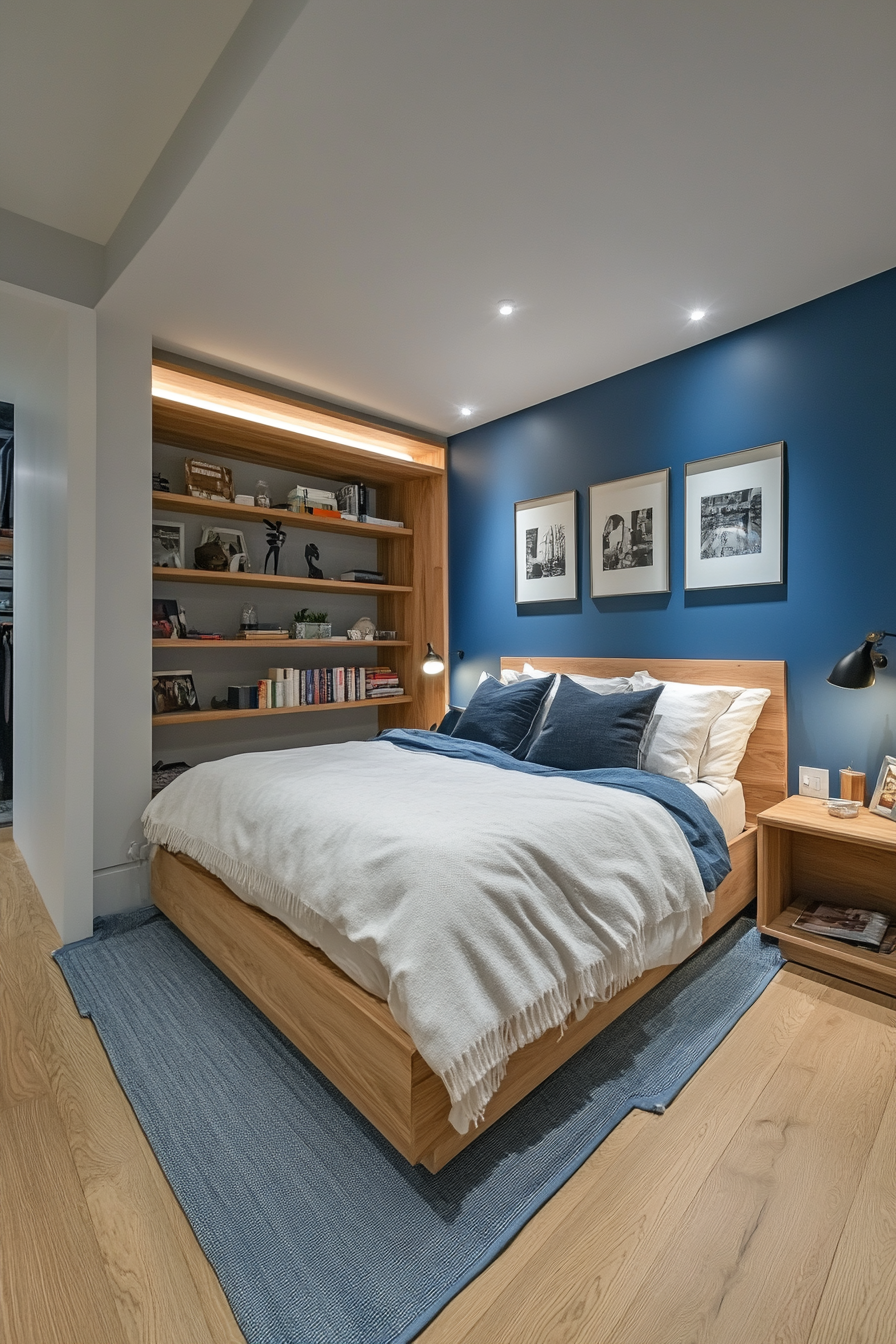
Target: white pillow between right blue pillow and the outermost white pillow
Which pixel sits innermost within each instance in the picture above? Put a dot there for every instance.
(682, 721)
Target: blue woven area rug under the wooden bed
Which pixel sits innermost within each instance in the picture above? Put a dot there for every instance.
(318, 1230)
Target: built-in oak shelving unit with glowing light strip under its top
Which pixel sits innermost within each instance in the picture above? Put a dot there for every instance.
(220, 417)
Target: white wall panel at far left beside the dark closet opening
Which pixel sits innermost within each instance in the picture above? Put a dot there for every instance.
(48, 370)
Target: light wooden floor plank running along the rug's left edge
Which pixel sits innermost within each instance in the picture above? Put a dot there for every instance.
(165, 1288)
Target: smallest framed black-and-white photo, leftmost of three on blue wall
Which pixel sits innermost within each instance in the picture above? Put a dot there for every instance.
(546, 552)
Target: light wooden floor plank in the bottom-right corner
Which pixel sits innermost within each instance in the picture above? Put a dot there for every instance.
(859, 1302)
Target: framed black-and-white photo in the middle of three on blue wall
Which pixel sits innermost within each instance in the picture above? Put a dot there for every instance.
(631, 536)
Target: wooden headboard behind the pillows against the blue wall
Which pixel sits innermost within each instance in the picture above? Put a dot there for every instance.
(764, 771)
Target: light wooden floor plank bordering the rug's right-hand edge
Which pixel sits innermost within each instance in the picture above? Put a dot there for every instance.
(574, 1282)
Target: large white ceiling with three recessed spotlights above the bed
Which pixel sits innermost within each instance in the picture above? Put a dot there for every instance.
(608, 165)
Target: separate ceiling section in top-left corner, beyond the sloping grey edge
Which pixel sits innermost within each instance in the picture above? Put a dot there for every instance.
(91, 91)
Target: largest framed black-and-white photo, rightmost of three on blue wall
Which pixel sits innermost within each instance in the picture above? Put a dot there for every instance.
(735, 519)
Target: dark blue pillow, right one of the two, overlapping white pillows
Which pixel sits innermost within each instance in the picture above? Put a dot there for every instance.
(588, 732)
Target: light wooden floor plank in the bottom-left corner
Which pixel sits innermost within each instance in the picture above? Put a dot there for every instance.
(53, 1282)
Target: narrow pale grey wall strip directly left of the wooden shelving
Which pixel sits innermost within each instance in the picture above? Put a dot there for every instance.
(123, 772)
